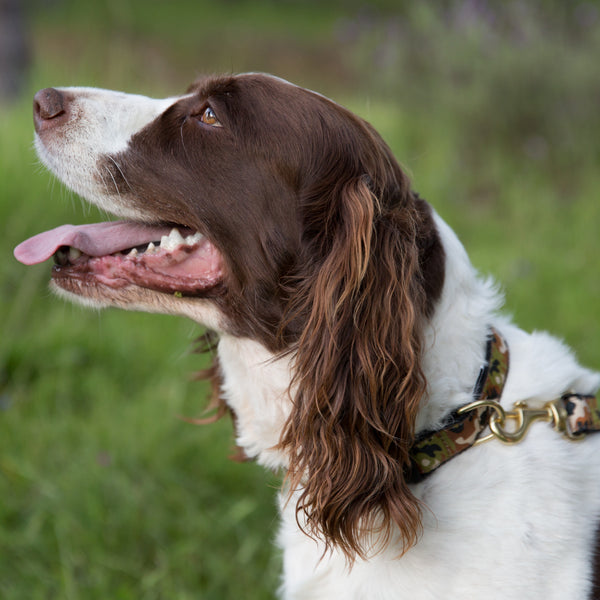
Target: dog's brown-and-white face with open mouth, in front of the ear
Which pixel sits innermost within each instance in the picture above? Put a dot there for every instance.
(226, 164)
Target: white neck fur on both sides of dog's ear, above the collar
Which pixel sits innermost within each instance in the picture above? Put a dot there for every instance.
(255, 383)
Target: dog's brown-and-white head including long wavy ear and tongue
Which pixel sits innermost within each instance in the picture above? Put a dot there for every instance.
(295, 227)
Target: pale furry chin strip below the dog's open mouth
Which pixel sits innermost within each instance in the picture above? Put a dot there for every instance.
(136, 298)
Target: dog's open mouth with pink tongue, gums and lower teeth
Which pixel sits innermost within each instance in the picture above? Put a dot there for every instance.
(163, 258)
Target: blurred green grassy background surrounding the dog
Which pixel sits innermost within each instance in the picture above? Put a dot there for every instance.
(492, 107)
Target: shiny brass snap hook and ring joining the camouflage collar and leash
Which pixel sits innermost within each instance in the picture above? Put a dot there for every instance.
(552, 412)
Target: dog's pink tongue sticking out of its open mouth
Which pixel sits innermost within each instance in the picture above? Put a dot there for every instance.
(98, 239)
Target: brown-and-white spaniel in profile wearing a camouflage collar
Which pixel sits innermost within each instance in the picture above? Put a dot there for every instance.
(358, 349)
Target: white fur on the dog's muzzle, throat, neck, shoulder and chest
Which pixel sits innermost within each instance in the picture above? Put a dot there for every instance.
(499, 522)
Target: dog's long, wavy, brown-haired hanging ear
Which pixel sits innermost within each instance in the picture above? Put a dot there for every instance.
(374, 268)
